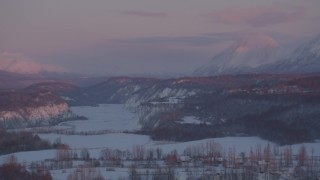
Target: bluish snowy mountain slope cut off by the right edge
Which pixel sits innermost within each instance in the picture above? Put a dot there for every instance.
(305, 59)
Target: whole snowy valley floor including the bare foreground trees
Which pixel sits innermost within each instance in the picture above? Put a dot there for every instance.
(93, 153)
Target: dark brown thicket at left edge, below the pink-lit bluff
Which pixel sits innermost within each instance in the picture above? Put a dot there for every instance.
(21, 141)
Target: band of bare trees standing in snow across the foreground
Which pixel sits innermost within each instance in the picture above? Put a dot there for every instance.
(208, 160)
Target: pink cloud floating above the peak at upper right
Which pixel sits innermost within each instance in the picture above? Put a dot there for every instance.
(259, 16)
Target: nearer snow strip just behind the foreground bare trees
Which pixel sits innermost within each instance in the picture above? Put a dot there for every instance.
(95, 143)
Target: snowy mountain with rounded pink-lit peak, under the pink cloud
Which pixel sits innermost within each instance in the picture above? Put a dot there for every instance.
(248, 53)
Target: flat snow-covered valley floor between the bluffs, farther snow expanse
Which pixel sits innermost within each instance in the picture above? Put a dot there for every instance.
(113, 117)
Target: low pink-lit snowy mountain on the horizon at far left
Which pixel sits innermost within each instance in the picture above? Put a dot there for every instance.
(17, 63)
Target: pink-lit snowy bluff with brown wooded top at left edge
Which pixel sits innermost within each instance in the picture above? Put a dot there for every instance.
(18, 109)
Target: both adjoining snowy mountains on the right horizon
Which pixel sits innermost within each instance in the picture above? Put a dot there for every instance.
(262, 54)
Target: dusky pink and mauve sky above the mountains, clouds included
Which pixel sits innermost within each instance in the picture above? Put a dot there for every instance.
(108, 37)
